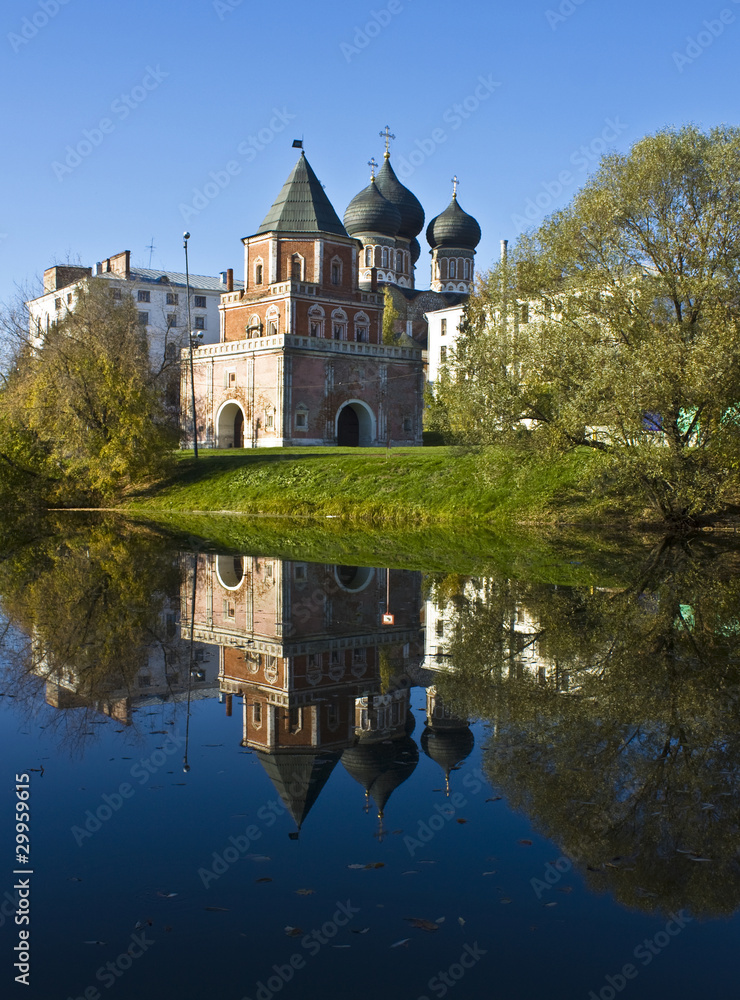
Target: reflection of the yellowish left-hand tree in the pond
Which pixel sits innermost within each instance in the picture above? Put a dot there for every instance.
(85, 610)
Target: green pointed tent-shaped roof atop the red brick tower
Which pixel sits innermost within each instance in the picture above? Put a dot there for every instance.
(302, 206)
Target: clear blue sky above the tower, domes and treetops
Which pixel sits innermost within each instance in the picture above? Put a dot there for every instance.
(127, 121)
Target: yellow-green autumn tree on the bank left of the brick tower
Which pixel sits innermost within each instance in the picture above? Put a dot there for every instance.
(81, 416)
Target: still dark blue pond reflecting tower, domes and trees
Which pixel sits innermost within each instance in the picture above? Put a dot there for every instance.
(239, 775)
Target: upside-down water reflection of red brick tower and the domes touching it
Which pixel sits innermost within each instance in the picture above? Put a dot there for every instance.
(304, 646)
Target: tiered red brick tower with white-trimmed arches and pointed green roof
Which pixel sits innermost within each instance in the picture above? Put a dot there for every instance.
(301, 358)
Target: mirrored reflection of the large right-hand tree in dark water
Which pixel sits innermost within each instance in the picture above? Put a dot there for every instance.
(623, 741)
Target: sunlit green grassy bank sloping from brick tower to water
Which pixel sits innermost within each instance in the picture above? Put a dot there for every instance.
(403, 485)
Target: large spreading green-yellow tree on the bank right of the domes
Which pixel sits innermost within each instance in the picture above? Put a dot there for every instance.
(614, 326)
